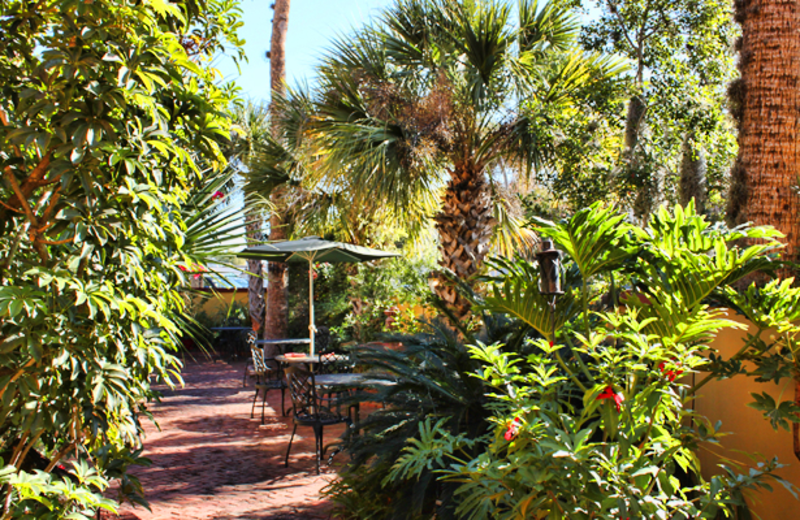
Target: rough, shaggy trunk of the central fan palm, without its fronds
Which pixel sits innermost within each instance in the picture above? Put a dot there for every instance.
(465, 225)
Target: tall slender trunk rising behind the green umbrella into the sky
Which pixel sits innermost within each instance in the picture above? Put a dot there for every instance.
(277, 307)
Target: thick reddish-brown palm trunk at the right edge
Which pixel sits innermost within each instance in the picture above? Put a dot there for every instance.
(767, 164)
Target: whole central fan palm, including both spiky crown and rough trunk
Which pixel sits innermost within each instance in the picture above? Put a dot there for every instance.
(416, 116)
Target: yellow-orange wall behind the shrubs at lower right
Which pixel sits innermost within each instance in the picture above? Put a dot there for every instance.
(727, 401)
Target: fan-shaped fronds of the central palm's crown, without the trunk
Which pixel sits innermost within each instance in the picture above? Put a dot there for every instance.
(432, 87)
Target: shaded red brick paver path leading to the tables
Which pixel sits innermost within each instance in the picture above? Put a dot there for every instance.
(212, 461)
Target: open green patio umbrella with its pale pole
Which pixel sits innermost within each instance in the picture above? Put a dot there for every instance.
(313, 249)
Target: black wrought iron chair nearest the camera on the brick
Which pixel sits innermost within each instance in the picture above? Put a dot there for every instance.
(309, 409)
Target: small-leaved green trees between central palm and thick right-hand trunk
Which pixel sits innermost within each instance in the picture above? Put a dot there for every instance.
(677, 142)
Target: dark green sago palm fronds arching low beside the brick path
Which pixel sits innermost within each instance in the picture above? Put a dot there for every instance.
(432, 391)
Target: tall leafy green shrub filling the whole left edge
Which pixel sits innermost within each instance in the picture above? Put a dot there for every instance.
(109, 115)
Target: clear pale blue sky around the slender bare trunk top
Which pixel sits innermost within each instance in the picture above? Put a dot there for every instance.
(312, 26)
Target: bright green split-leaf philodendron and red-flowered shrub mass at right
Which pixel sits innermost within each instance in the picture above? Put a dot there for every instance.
(594, 417)
